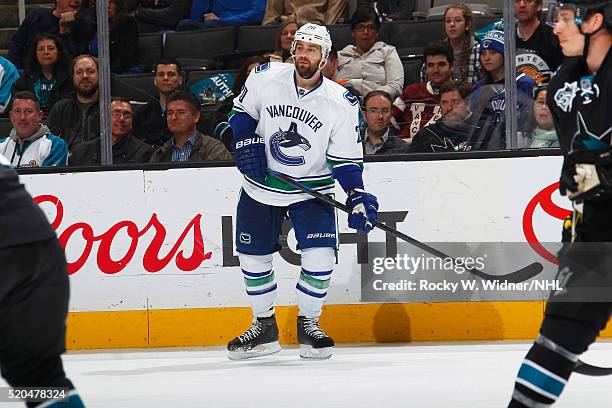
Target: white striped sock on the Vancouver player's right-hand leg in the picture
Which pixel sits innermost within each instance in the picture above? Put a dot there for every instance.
(317, 267)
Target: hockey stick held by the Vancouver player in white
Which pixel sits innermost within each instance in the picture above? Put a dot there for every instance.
(521, 275)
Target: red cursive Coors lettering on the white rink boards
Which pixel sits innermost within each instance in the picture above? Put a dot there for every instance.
(151, 260)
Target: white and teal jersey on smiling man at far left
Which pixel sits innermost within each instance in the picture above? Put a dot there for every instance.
(42, 149)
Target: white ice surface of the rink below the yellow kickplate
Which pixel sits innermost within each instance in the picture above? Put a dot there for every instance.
(445, 375)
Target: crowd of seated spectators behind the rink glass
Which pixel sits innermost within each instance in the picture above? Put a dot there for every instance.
(49, 81)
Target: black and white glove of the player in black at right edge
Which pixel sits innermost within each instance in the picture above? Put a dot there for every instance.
(593, 175)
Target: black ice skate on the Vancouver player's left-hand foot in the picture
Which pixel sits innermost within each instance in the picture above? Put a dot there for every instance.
(260, 340)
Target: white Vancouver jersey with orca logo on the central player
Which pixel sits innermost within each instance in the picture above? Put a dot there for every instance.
(306, 133)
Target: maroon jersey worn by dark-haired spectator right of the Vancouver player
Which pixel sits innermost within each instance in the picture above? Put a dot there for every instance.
(417, 107)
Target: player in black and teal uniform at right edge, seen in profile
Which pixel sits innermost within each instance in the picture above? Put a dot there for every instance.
(580, 99)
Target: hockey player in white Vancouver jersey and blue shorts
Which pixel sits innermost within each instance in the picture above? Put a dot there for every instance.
(291, 120)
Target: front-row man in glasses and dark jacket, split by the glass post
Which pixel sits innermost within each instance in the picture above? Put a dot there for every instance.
(126, 148)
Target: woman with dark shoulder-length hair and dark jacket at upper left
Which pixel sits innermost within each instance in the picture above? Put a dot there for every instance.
(47, 72)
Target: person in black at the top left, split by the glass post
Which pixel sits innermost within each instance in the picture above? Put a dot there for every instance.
(123, 37)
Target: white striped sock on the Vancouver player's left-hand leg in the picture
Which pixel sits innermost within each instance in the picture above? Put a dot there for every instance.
(260, 284)
